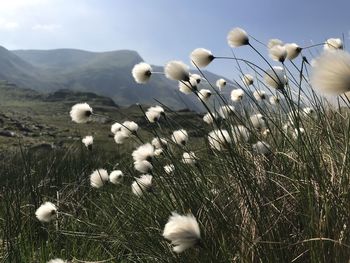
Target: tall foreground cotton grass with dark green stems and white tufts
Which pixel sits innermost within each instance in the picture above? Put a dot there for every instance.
(266, 179)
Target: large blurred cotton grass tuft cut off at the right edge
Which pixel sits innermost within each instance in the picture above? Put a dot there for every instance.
(332, 72)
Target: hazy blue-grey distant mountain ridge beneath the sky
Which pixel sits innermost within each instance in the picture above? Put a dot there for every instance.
(104, 73)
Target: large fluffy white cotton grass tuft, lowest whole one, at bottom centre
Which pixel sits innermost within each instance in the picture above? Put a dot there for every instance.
(183, 232)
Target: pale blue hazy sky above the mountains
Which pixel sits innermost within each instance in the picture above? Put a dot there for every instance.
(163, 30)
